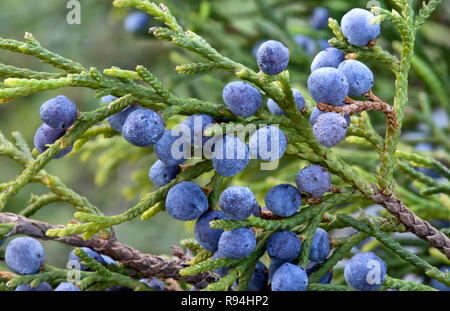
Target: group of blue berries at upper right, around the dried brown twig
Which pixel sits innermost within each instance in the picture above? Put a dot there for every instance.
(333, 78)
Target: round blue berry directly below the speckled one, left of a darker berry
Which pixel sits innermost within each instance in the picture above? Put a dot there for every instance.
(237, 243)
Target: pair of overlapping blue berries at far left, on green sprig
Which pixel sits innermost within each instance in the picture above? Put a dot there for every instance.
(58, 114)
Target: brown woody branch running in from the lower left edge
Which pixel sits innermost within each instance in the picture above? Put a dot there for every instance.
(146, 264)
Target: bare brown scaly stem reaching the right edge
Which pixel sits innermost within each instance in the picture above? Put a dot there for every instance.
(412, 222)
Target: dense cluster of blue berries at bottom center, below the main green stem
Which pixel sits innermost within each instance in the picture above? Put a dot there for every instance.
(283, 247)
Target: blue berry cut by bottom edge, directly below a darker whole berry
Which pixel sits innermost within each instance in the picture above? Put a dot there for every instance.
(289, 277)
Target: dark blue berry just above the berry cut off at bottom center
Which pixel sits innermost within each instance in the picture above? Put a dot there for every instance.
(284, 245)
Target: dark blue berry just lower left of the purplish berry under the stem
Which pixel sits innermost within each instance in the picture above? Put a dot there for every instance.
(283, 200)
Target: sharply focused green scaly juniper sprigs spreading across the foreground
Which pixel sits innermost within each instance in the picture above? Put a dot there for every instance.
(142, 86)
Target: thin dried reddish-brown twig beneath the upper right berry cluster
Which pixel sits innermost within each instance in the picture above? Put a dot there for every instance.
(357, 106)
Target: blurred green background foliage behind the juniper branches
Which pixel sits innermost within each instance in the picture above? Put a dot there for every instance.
(231, 26)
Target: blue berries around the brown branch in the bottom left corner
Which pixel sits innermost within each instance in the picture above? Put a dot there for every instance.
(25, 255)
